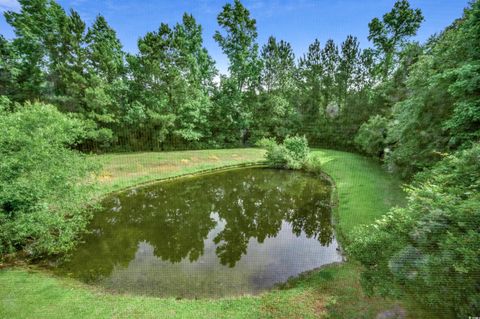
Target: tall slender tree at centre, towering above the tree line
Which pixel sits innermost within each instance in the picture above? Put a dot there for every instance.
(238, 42)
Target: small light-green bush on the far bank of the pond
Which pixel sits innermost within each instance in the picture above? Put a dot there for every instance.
(292, 154)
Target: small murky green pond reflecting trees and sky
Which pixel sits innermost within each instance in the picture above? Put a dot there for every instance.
(229, 233)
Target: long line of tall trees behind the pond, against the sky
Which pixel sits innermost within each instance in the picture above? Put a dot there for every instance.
(170, 95)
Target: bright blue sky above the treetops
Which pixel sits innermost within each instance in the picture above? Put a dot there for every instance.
(296, 21)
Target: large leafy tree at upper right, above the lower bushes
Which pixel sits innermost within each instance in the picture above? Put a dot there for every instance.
(439, 112)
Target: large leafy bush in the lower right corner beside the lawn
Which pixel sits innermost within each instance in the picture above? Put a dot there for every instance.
(431, 247)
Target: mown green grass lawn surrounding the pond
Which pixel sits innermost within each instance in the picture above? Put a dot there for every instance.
(365, 192)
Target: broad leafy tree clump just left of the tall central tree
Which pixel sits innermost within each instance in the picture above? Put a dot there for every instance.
(171, 78)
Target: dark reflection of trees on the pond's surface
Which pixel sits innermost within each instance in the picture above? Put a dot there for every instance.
(225, 211)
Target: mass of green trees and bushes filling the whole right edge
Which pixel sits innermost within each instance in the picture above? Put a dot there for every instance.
(430, 248)
